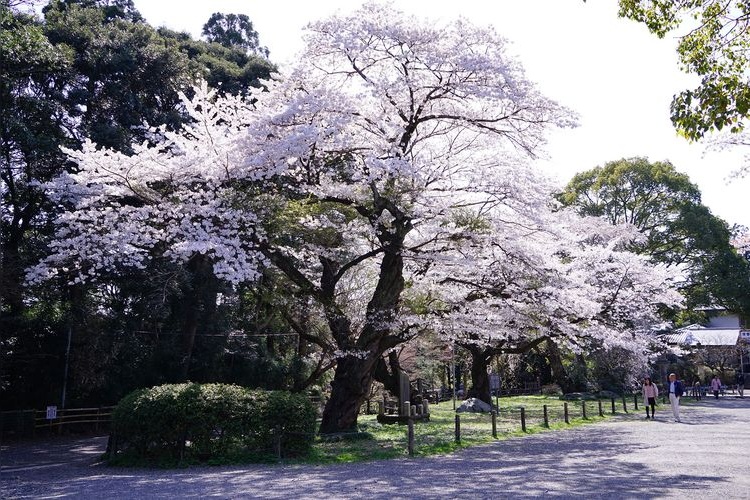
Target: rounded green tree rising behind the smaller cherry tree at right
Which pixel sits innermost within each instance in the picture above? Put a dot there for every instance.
(678, 229)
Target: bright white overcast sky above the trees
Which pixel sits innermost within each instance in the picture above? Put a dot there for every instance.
(616, 75)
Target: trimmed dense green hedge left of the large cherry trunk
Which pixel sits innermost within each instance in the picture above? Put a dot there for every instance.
(211, 422)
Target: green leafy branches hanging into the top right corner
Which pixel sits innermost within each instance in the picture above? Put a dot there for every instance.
(713, 45)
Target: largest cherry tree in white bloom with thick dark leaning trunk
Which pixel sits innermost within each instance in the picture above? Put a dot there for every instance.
(340, 170)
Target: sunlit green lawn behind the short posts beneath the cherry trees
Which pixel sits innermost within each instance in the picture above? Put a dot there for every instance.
(382, 441)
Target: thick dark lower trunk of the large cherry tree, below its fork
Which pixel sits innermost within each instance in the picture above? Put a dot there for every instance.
(349, 389)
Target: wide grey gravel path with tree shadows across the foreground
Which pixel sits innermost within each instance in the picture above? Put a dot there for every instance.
(706, 456)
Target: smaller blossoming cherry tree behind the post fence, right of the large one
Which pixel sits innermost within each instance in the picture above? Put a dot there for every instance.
(505, 288)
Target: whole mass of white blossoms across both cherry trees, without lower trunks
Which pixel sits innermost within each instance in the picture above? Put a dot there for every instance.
(389, 131)
